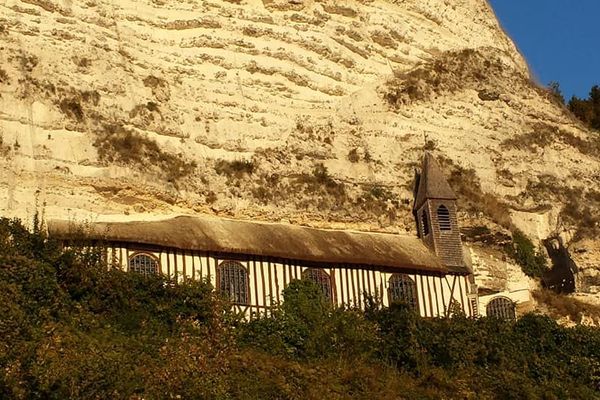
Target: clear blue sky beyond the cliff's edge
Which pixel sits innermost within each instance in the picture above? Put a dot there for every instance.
(559, 38)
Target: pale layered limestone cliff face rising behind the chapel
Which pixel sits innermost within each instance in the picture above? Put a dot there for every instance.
(314, 112)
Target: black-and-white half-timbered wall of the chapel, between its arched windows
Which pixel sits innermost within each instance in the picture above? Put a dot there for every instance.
(267, 279)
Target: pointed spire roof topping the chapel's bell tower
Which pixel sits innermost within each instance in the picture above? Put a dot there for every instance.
(432, 183)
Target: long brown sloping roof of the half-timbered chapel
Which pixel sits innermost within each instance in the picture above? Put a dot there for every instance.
(264, 240)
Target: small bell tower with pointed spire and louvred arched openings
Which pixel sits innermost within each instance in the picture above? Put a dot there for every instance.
(435, 211)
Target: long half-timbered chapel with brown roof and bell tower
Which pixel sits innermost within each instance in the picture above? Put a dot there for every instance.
(252, 262)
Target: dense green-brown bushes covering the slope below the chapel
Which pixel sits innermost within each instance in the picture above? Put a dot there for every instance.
(70, 327)
